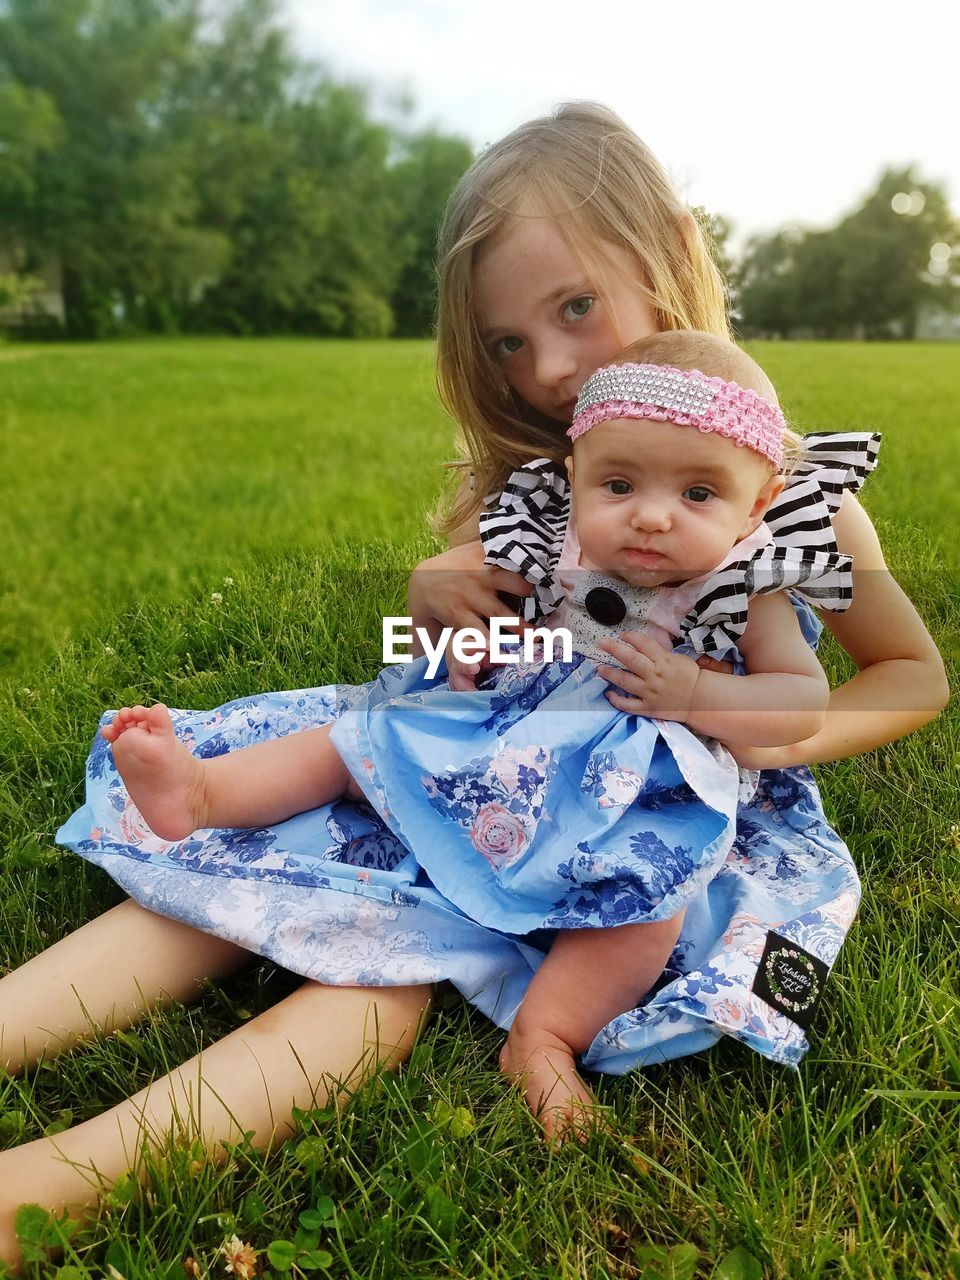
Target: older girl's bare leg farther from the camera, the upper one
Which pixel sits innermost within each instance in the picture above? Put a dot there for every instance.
(104, 976)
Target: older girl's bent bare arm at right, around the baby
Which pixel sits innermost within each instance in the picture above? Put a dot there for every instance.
(900, 683)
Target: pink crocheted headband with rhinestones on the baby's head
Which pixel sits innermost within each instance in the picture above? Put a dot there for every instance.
(685, 397)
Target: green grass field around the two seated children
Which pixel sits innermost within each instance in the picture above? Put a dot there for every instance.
(202, 520)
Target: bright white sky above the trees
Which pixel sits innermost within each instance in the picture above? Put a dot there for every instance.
(766, 112)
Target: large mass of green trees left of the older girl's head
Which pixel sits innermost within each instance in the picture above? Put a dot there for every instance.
(188, 170)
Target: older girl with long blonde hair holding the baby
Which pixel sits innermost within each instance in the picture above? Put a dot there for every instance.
(563, 245)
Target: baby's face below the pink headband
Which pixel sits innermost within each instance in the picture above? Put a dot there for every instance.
(660, 504)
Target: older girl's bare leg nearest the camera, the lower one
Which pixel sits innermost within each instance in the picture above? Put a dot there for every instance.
(300, 1053)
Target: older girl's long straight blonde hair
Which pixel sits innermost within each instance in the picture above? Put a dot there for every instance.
(584, 168)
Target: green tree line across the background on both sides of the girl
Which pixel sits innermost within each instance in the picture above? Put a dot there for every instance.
(190, 173)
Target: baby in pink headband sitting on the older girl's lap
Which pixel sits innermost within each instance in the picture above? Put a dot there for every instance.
(492, 792)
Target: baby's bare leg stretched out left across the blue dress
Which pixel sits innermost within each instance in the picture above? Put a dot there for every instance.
(255, 787)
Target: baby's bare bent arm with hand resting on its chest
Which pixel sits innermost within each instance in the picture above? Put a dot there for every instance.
(783, 700)
